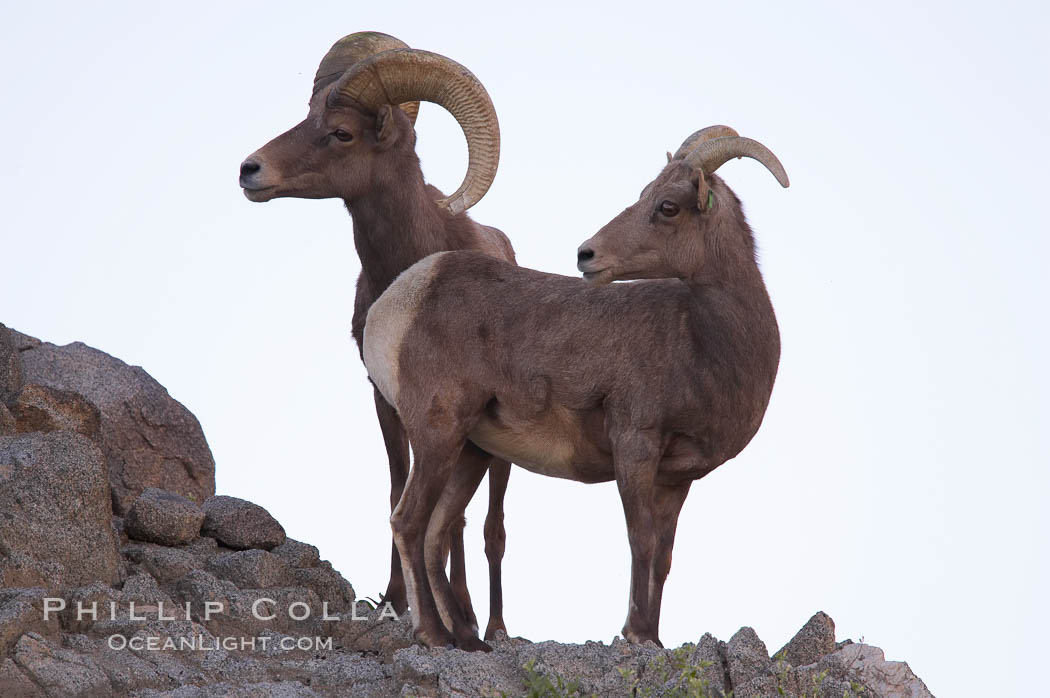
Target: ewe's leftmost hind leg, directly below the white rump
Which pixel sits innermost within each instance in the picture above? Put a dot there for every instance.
(410, 521)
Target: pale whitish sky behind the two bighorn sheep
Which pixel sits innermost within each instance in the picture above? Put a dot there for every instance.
(900, 480)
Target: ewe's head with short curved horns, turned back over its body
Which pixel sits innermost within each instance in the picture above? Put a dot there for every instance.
(684, 220)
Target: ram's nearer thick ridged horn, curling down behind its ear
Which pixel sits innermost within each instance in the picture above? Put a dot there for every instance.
(406, 74)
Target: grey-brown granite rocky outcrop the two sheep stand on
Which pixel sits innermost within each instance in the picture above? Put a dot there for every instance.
(178, 594)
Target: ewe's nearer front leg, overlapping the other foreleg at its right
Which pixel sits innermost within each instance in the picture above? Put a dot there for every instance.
(636, 458)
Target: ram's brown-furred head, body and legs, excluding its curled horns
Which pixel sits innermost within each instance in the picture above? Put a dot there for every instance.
(396, 224)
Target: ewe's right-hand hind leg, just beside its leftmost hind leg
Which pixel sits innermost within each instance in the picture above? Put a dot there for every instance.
(461, 487)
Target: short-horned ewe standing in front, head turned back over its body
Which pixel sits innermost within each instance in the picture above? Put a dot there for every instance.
(654, 385)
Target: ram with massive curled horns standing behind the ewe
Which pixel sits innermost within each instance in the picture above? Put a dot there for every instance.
(355, 144)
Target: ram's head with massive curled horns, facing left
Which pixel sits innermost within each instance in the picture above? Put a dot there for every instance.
(359, 134)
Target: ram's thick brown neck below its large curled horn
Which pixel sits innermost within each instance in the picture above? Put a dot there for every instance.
(395, 227)
